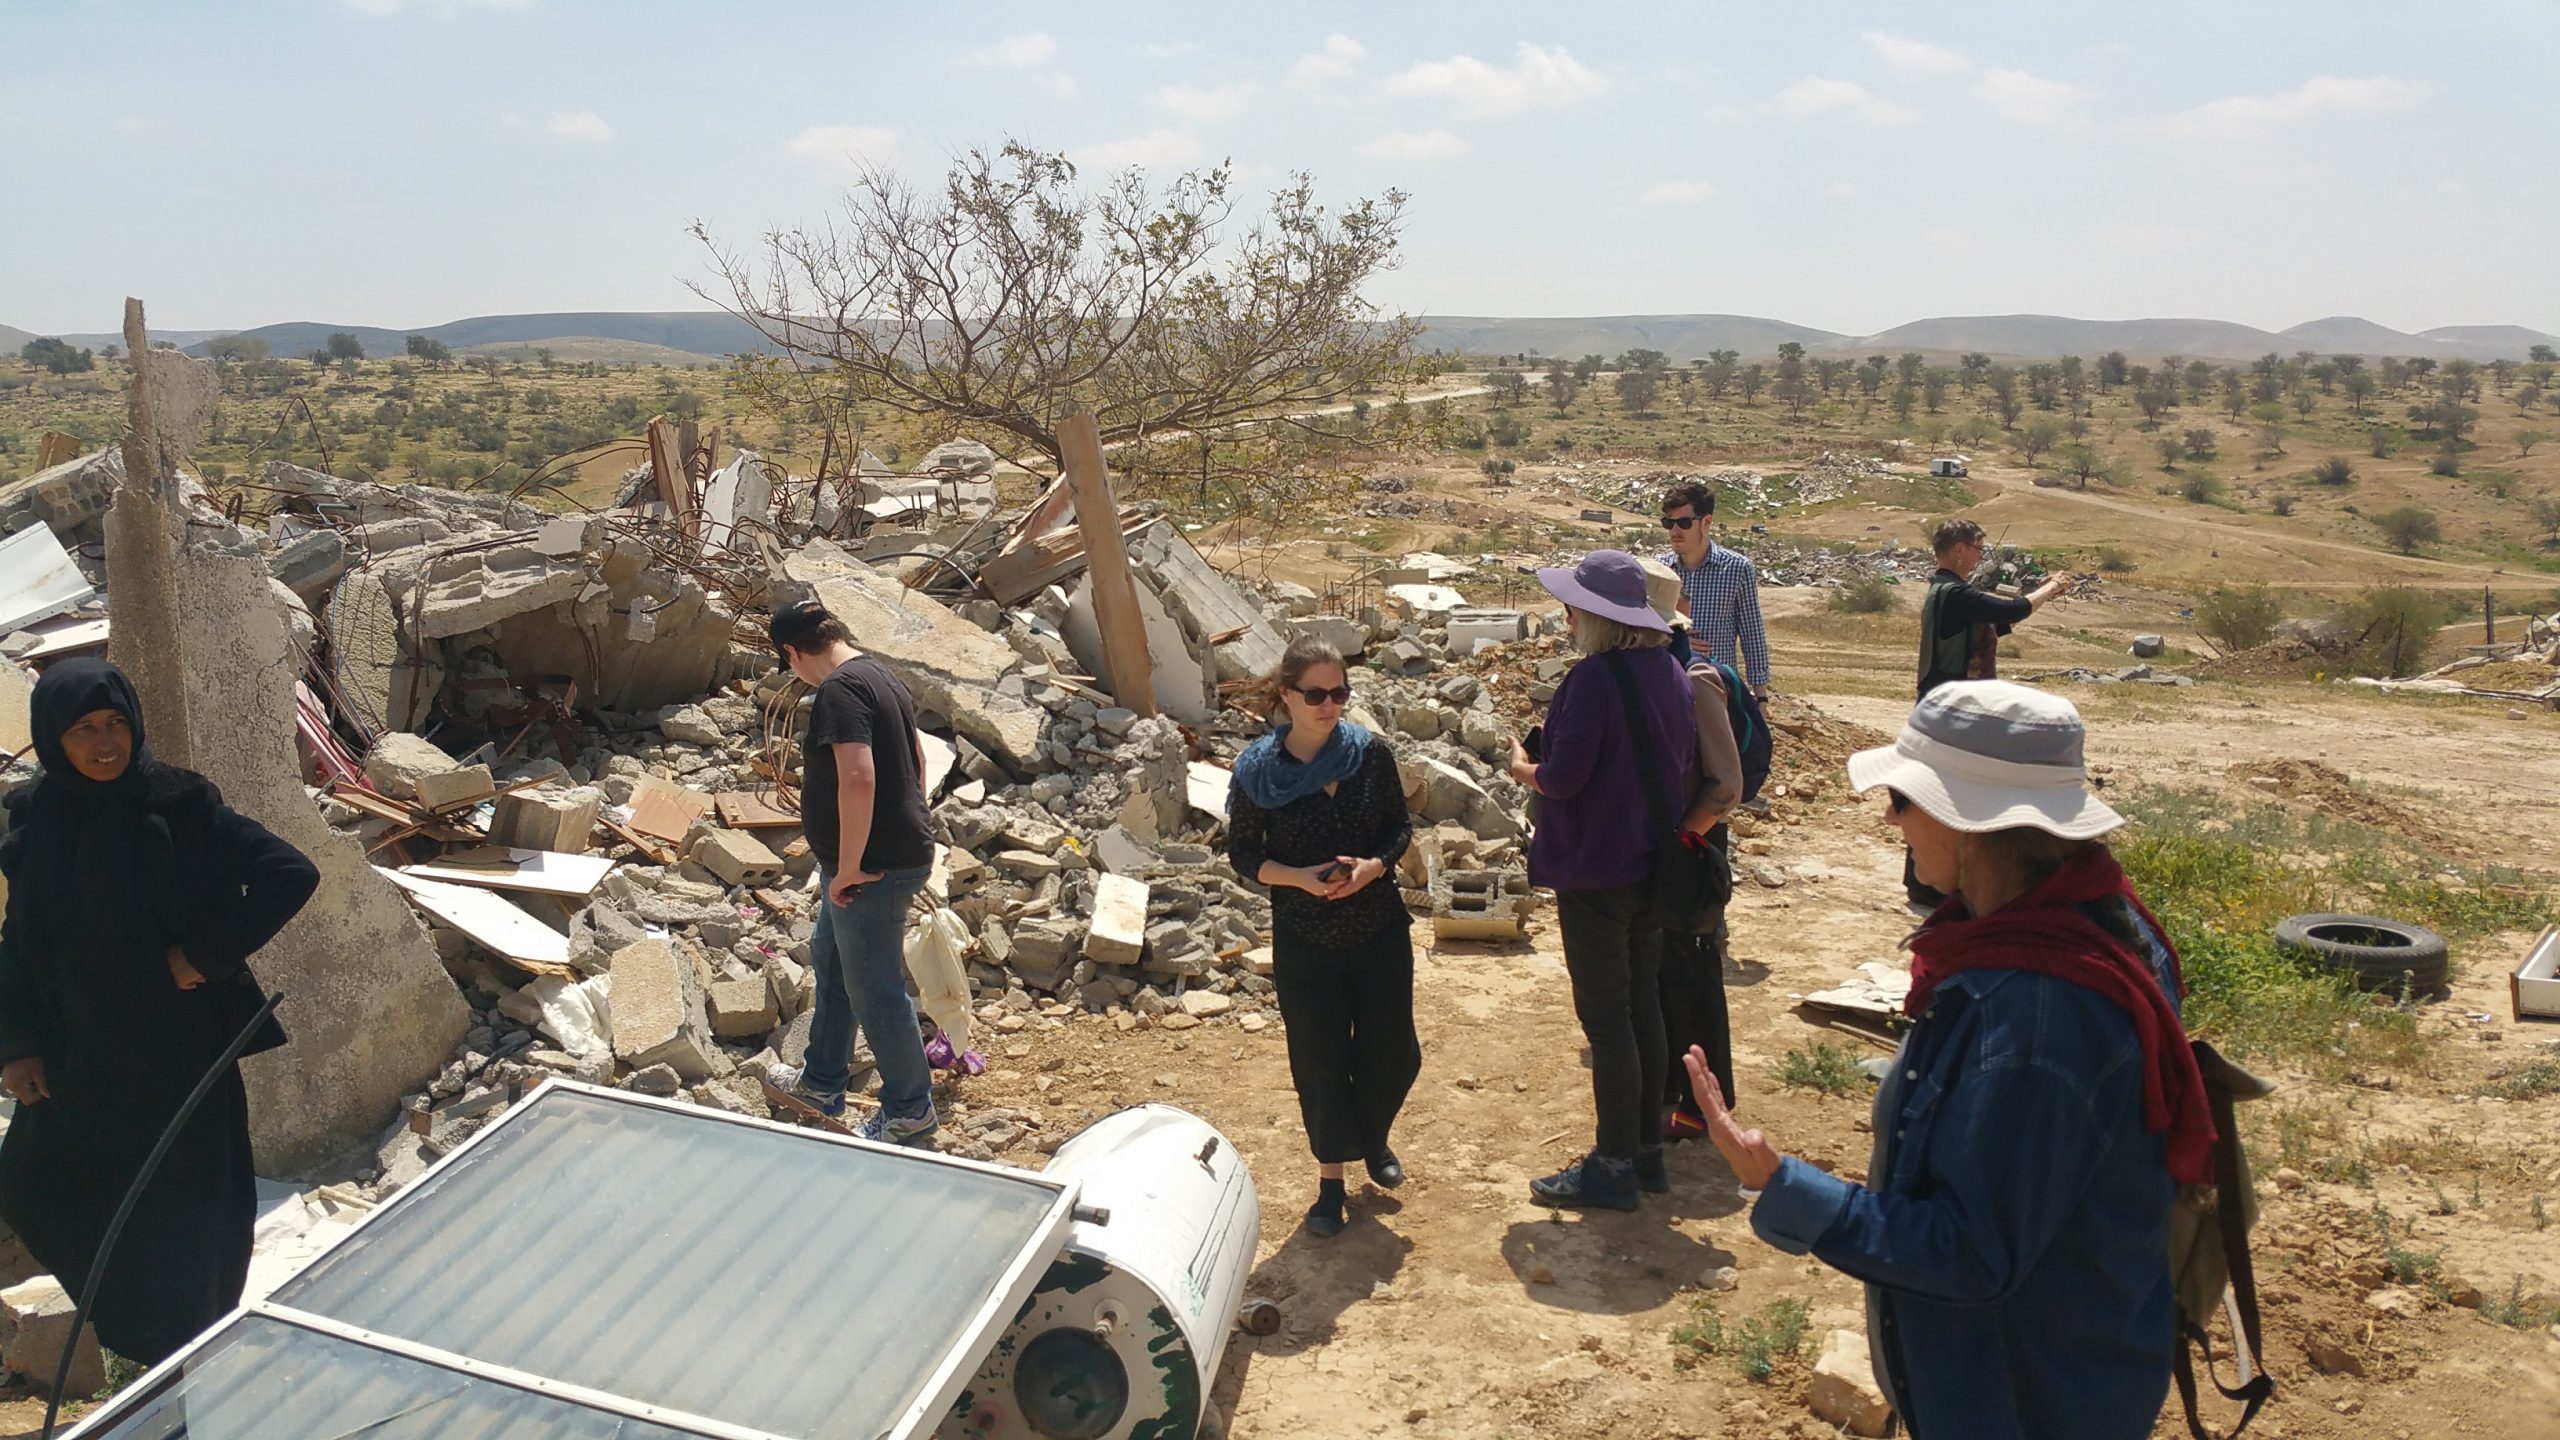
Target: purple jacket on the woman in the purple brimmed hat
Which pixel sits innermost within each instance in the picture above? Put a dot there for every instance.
(1594, 824)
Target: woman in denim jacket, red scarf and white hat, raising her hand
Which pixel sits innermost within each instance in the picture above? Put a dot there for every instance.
(2042, 1116)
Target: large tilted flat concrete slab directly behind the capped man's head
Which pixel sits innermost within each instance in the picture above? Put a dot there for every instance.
(951, 665)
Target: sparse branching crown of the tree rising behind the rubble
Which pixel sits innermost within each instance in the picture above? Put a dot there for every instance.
(1012, 299)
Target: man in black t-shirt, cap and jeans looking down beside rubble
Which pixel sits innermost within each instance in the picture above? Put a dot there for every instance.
(864, 814)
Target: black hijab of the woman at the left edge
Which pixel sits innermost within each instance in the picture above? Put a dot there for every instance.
(93, 860)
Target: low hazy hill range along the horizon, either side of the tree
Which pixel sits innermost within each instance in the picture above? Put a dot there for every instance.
(690, 337)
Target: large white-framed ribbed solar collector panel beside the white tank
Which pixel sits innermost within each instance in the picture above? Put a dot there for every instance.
(736, 1272)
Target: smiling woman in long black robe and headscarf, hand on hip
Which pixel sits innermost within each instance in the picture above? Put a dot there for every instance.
(134, 903)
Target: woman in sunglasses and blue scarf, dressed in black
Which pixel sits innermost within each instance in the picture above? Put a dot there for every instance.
(1320, 816)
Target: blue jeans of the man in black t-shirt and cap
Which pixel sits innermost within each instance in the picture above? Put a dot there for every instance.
(859, 954)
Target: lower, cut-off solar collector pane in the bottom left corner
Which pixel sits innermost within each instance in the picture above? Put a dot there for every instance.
(273, 1382)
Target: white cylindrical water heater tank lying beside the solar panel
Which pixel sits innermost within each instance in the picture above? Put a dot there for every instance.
(1123, 1336)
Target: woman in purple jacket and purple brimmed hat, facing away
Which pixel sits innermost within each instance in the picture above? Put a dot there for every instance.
(1594, 847)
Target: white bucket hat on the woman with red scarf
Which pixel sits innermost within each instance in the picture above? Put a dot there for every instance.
(1985, 755)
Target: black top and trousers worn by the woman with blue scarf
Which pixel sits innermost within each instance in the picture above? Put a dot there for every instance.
(1345, 967)
